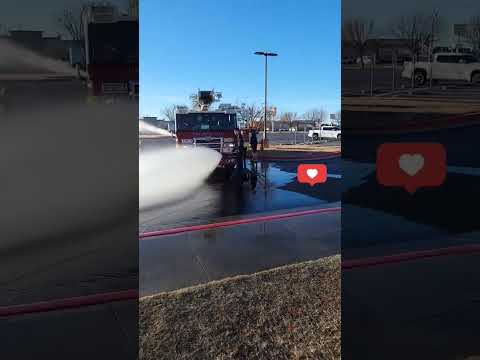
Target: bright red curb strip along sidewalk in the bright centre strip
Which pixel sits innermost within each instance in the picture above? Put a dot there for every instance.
(235, 222)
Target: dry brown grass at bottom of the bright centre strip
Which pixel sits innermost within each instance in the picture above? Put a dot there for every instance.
(292, 312)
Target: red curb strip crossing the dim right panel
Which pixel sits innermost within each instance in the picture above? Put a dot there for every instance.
(410, 256)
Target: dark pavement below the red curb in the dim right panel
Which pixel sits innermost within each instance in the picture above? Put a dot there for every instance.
(424, 309)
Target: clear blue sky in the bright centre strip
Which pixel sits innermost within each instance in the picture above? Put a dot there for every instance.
(184, 47)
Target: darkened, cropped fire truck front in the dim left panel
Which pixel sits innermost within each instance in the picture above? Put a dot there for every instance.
(111, 52)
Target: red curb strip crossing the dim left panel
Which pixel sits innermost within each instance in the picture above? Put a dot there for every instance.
(68, 303)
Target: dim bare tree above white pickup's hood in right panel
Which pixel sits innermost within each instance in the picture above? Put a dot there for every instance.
(415, 29)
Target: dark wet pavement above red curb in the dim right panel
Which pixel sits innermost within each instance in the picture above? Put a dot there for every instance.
(431, 218)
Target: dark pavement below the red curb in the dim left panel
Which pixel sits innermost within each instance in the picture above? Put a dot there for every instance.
(94, 332)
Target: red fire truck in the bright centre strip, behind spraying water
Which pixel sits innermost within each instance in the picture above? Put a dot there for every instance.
(217, 130)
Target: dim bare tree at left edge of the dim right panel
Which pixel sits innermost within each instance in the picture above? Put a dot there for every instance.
(356, 33)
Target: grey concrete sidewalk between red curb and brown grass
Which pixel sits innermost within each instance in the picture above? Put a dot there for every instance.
(177, 261)
